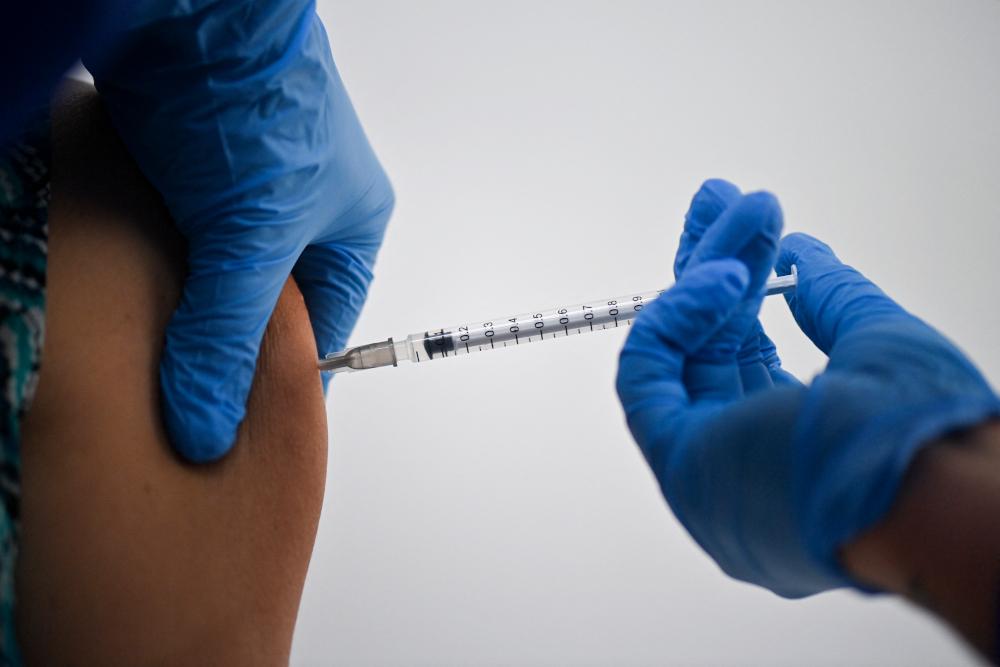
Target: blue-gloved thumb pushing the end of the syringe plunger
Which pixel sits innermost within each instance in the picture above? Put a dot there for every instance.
(832, 298)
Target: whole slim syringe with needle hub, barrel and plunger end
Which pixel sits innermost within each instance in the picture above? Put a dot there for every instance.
(480, 336)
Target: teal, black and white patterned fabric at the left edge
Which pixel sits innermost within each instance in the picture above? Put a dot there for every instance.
(24, 206)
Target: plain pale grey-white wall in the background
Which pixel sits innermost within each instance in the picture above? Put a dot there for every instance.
(492, 509)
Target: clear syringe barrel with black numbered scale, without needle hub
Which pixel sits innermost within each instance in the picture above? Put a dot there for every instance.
(481, 336)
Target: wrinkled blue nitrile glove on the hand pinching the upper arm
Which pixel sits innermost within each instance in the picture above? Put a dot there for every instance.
(236, 113)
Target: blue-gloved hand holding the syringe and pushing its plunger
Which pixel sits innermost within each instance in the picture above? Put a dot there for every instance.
(772, 480)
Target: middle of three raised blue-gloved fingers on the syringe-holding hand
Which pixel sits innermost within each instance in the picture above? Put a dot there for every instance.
(749, 231)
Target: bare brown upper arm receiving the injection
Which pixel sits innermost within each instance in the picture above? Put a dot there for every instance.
(128, 555)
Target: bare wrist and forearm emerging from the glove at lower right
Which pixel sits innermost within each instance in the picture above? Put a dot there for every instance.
(939, 545)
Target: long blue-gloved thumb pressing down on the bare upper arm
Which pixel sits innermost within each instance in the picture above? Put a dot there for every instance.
(213, 340)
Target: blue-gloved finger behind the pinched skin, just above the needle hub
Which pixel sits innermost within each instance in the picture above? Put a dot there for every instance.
(334, 280)
